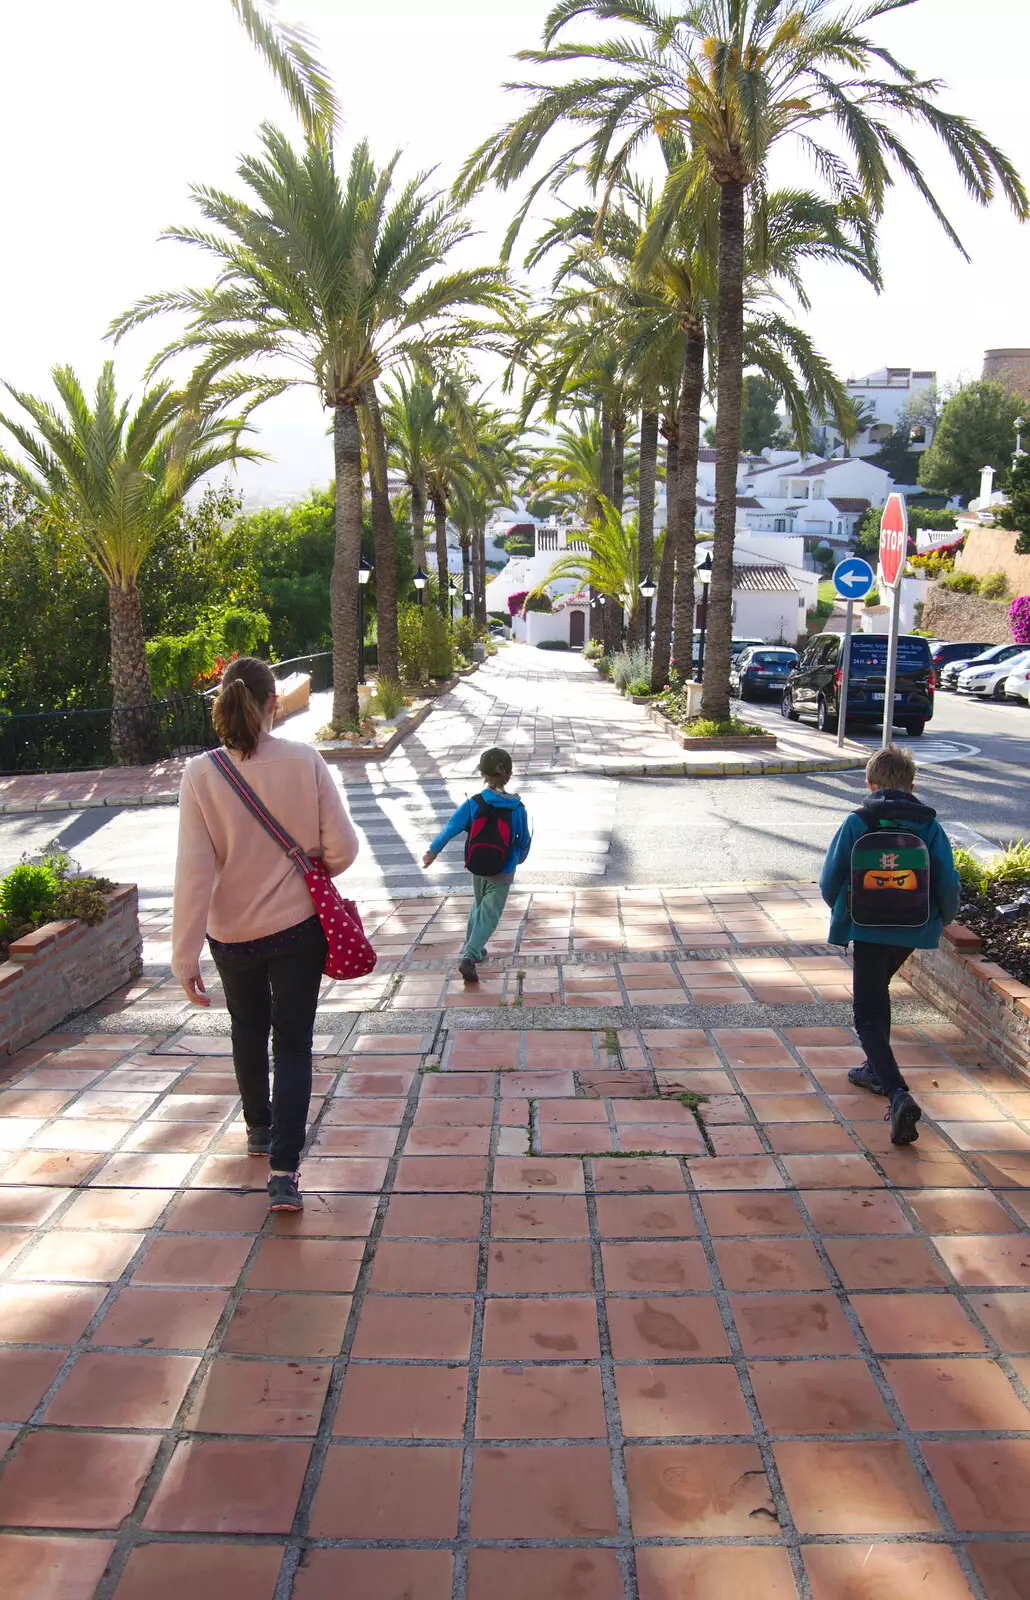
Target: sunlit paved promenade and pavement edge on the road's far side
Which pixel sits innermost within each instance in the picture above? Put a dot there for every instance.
(513, 700)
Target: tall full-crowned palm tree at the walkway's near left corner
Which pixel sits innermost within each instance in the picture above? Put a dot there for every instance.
(335, 278)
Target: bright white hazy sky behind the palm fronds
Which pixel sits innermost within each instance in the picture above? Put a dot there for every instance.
(113, 108)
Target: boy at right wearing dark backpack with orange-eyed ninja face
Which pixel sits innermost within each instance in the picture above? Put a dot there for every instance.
(879, 953)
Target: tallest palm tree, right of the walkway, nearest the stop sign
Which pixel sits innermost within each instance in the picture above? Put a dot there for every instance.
(735, 79)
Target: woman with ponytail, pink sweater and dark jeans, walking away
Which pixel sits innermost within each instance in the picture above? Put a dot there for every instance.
(236, 884)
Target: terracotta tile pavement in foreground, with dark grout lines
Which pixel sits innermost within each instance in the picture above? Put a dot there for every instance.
(501, 1356)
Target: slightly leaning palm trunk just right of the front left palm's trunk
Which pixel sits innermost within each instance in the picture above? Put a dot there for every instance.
(346, 558)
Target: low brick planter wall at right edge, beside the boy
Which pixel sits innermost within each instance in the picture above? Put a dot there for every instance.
(989, 1004)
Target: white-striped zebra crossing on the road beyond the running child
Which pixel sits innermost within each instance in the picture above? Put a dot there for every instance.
(572, 822)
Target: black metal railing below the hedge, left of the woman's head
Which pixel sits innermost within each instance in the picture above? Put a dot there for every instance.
(73, 742)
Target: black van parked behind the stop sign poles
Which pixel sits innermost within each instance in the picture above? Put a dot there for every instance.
(815, 686)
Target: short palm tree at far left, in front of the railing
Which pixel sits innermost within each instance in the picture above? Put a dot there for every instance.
(114, 481)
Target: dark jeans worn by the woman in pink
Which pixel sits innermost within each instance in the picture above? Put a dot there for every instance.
(276, 994)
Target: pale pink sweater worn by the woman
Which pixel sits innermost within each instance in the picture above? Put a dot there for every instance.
(233, 881)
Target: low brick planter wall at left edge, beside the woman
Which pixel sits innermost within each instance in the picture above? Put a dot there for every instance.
(66, 967)
